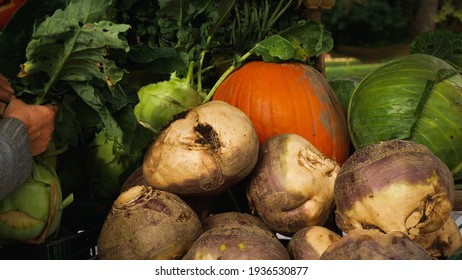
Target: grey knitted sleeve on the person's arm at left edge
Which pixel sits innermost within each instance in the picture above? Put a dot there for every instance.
(15, 155)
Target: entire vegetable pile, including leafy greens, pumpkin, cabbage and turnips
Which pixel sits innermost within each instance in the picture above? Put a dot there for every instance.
(211, 141)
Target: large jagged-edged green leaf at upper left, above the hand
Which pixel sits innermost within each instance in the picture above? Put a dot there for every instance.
(72, 46)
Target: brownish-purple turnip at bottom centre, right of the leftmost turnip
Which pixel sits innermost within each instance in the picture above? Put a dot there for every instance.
(236, 236)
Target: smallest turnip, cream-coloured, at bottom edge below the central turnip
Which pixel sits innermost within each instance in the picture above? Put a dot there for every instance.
(309, 243)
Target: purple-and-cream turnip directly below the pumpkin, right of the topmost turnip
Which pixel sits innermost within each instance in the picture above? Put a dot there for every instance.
(292, 185)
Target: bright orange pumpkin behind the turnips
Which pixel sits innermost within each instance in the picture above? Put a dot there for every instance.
(289, 98)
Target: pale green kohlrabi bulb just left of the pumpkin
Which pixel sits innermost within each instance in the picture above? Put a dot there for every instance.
(158, 102)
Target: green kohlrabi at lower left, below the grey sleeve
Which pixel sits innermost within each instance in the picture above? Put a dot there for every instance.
(33, 211)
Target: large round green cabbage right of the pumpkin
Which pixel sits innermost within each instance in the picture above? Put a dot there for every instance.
(416, 97)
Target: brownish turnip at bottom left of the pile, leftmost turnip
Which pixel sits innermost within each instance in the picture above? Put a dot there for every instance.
(145, 223)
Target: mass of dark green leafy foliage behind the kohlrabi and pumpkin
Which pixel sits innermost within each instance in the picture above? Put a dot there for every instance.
(92, 57)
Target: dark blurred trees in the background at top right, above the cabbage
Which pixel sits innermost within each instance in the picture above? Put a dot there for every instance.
(378, 23)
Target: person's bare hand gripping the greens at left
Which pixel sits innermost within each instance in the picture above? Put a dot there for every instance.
(39, 120)
